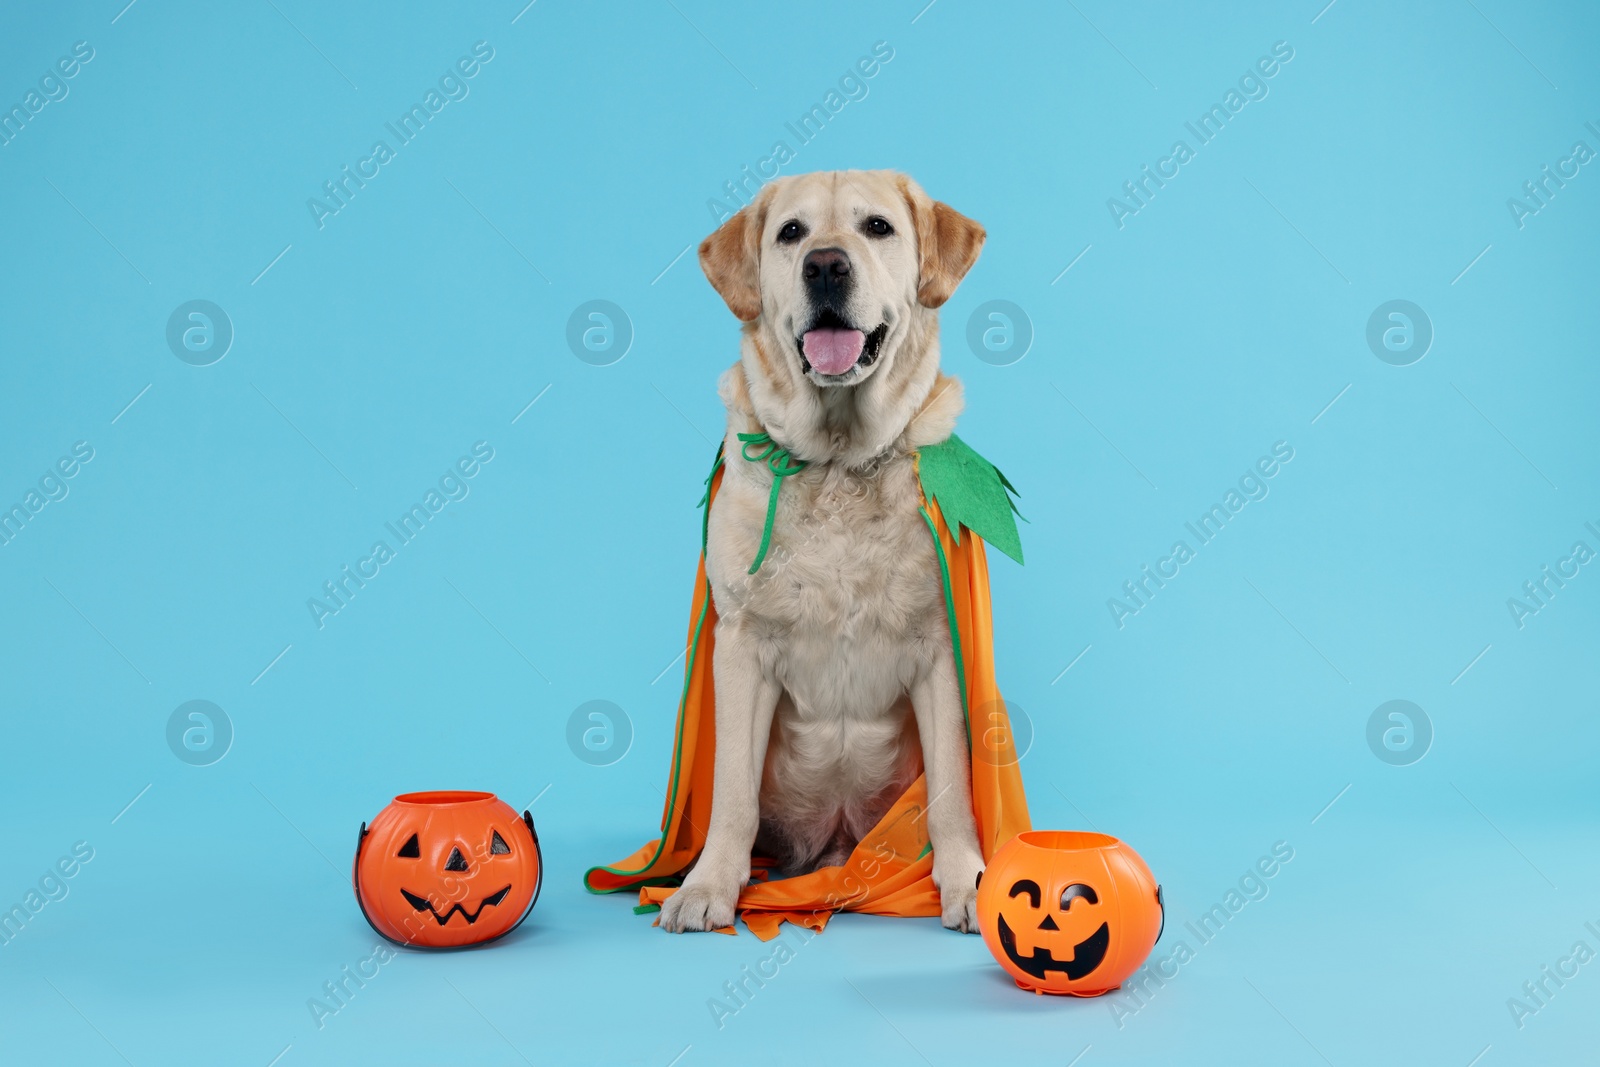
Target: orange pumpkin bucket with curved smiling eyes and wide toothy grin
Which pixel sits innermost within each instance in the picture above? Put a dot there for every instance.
(1070, 913)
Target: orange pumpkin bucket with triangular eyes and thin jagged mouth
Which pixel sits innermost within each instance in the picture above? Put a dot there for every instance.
(447, 868)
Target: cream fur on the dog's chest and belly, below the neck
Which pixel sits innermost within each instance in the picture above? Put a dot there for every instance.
(849, 609)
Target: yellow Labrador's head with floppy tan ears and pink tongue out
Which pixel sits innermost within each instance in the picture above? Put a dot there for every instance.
(839, 270)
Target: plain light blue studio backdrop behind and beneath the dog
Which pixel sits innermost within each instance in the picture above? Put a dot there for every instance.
(1222, 319)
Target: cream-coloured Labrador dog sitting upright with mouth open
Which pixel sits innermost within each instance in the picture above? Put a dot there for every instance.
(834, 673)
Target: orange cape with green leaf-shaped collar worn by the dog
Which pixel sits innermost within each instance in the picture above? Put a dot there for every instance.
(890, 873)
